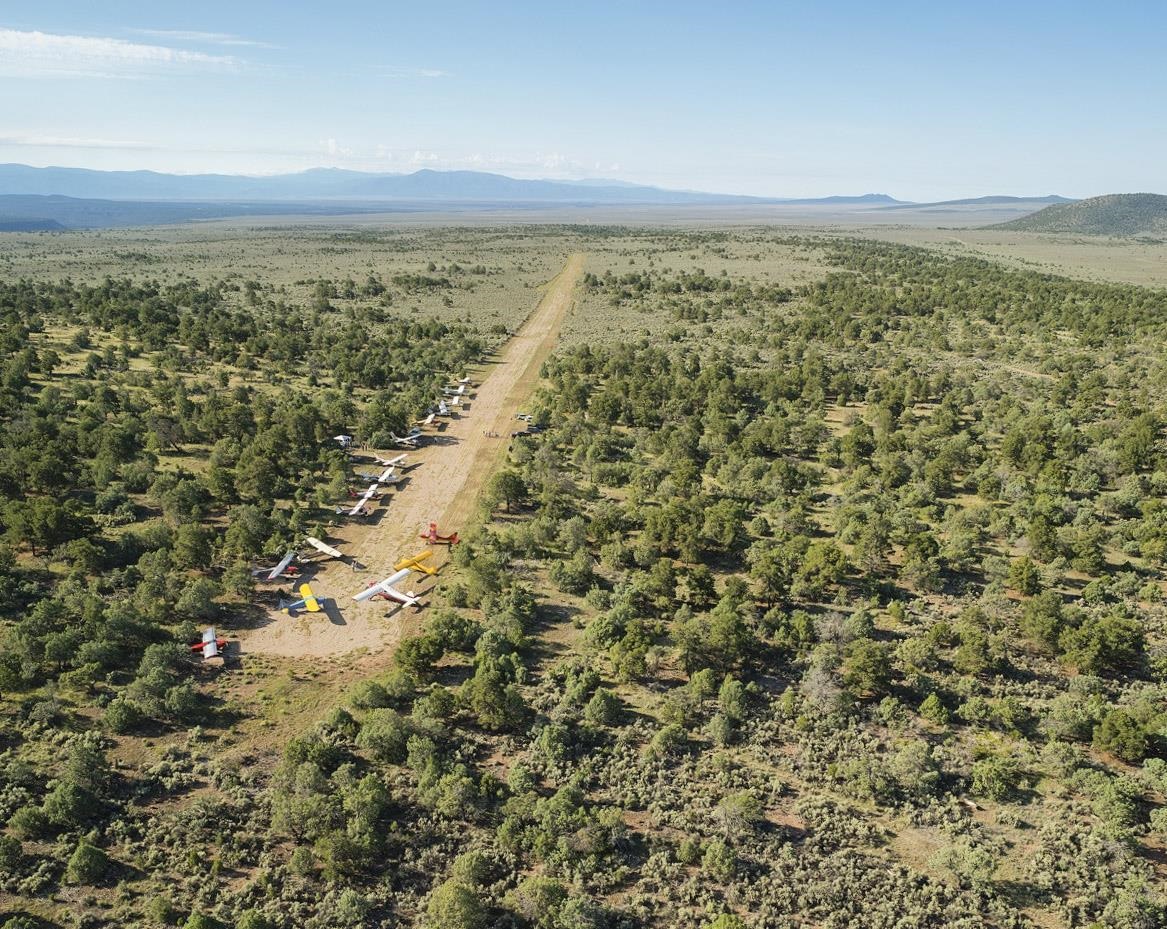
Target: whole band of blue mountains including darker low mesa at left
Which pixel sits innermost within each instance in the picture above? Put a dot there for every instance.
(53, 199)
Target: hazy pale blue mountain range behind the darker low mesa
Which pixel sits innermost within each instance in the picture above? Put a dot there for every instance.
(337, 184)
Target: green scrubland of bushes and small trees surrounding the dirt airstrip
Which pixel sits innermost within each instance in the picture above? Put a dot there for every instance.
(833, 602)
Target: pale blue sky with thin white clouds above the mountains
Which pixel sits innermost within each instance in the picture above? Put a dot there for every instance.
(918, 100)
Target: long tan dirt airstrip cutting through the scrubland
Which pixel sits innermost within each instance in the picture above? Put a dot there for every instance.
(444, 487)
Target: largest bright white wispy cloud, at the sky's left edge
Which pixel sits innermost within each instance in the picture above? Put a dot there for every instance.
(36, 54)
